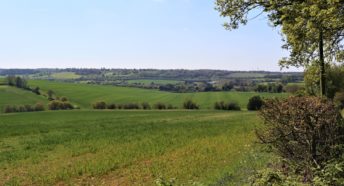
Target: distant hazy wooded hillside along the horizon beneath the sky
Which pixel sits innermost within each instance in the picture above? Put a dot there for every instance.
(128, 74)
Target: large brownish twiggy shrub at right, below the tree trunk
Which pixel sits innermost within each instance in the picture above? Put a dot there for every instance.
(305, 131)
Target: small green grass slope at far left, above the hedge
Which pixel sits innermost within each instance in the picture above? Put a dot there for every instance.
(15, 96)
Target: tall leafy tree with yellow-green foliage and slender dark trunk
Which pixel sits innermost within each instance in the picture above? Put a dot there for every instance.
(313, 30)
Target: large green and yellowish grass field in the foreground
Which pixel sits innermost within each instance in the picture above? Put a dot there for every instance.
(128, 147)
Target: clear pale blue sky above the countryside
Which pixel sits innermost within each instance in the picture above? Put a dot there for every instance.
(160, 34)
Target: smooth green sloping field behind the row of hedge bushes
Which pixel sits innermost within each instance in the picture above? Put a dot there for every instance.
(84, 95)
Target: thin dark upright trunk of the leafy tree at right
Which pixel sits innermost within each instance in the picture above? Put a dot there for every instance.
(322, 65)
